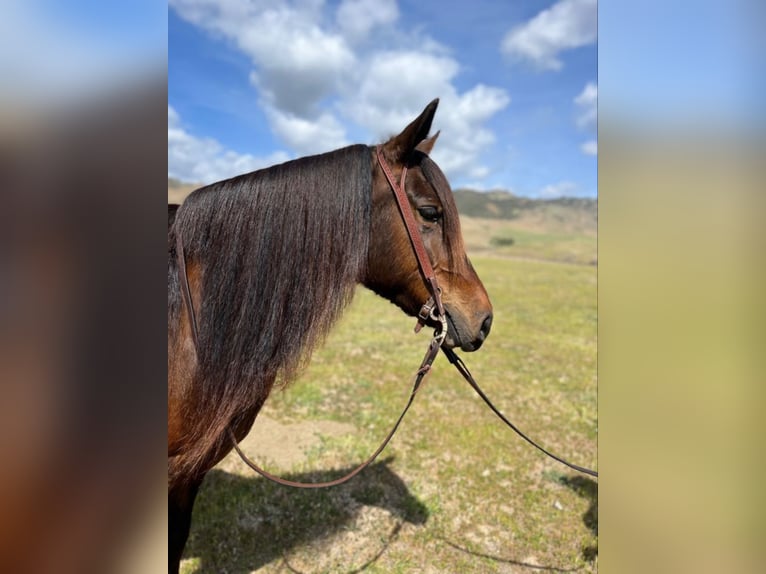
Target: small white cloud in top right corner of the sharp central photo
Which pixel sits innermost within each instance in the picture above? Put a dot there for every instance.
(566, 25)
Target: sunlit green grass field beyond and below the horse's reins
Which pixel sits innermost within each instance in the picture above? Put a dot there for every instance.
(457, 491)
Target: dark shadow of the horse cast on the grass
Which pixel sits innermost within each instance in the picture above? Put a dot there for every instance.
(243, 523)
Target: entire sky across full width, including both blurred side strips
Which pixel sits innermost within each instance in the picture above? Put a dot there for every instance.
(251, 83)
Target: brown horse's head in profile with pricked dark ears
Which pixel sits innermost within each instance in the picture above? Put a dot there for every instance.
(392, 268)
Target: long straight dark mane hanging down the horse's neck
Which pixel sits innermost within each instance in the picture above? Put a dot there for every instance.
(279, 252)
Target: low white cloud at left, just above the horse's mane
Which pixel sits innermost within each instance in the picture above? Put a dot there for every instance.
(204, 160)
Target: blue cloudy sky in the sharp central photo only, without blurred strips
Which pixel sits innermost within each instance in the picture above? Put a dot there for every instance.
(251, 83)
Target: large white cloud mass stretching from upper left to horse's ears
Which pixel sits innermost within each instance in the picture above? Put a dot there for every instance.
(314, 88)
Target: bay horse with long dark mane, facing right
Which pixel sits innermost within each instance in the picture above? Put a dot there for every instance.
(270, 259)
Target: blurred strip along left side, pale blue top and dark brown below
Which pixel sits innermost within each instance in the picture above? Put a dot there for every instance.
(82, 361)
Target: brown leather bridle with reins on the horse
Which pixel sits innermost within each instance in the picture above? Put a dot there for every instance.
(432, 309)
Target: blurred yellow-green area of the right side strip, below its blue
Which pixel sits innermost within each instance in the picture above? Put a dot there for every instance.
(681, 362)
